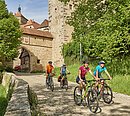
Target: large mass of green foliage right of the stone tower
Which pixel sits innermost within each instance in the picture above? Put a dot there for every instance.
(103, 29)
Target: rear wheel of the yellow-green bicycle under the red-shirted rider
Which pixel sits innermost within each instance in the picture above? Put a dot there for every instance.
(77, 97)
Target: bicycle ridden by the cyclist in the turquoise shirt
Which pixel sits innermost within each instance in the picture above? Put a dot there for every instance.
(104, 92)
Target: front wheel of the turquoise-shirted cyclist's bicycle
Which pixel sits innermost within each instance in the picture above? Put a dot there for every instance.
(107, 94)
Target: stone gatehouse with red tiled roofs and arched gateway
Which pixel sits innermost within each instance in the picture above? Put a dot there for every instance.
(36, 48)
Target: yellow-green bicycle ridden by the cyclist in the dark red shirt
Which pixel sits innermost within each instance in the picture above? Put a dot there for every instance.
(90, 97)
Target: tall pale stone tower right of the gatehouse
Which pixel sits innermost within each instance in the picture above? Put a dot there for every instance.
(60, 31)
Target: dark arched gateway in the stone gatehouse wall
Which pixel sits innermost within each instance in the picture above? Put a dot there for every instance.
(25, 59)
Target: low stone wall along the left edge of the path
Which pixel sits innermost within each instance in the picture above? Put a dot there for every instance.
(19, 95)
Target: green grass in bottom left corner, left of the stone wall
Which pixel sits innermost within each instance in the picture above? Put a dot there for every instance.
(3, 100)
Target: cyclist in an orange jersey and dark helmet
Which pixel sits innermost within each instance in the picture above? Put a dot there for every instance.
(49, 70)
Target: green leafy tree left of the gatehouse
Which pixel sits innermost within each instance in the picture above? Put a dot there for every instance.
(9, 34)
